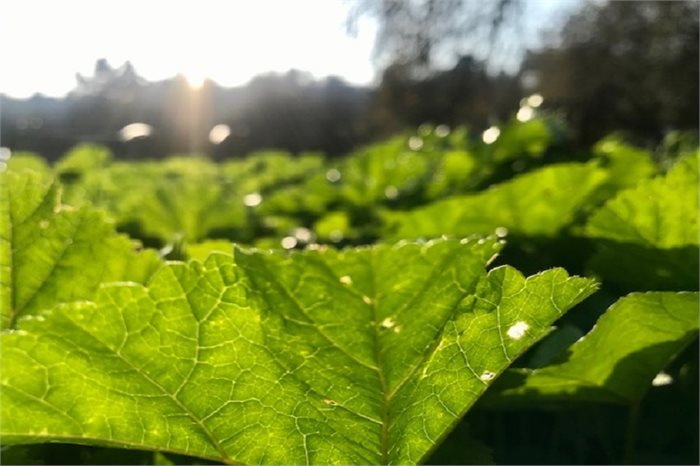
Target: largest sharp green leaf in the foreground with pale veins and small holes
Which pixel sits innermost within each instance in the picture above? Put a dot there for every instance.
(362, 356)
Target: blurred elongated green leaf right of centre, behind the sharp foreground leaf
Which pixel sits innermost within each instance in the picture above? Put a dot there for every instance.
(539, 203)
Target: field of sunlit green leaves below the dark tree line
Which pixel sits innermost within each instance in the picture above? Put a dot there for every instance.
(431, 298)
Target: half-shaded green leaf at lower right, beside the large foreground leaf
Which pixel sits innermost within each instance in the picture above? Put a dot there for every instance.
(618, 360)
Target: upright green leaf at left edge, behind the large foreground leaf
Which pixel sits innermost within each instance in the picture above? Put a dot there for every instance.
(51, 252)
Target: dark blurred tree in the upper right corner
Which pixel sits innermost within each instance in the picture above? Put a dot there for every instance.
(630, 66)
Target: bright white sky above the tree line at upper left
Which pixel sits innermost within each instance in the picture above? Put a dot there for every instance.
(44, 43)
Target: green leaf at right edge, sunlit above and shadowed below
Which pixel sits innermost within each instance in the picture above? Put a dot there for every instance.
(648, 236)
